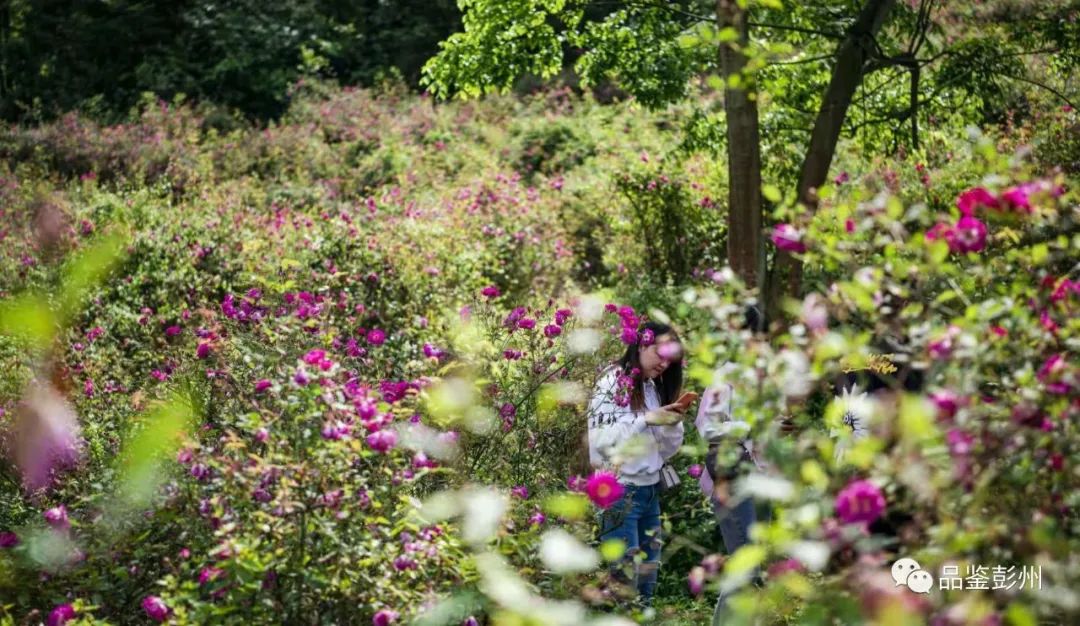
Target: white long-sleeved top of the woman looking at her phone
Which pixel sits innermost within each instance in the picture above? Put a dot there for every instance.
(612, 426)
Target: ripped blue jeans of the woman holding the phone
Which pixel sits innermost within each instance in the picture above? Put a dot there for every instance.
(636, 521)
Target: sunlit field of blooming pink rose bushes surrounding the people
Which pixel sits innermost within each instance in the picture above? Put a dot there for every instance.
(334, 371)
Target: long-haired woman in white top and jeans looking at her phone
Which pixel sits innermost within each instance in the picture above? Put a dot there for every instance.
(637, 400)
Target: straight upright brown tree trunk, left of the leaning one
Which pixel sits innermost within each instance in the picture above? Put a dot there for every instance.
(746, 252)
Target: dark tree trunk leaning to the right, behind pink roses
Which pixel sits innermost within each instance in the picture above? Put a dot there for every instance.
(852, 60)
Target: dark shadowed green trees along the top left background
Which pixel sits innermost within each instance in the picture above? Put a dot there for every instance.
(234, 57)
